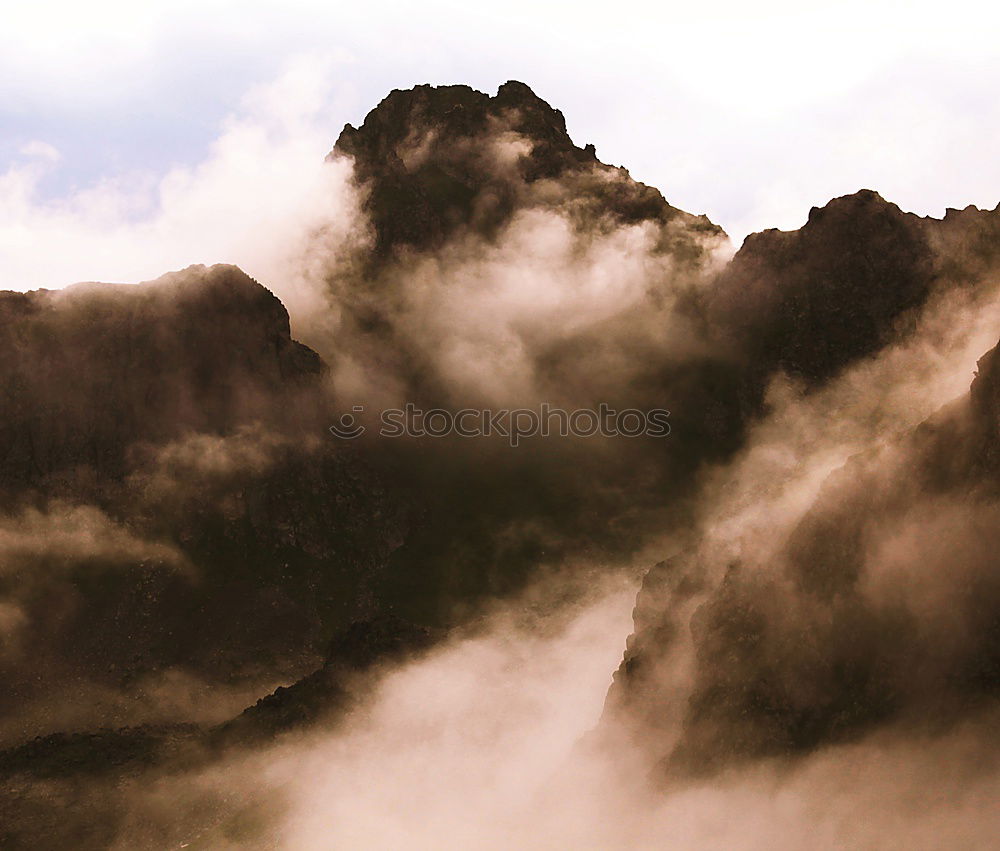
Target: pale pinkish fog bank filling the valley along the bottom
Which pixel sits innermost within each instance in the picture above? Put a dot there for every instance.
(484, 742)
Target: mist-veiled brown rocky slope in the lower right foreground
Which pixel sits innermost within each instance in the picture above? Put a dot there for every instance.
(881, 605)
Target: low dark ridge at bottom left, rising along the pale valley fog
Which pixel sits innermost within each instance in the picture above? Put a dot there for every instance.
(97, 773)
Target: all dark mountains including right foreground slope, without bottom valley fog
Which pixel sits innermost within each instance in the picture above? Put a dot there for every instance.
(180, 533)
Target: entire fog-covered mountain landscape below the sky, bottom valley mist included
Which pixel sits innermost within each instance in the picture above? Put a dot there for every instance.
(200, 586)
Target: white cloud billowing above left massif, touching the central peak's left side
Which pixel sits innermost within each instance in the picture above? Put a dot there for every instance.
(257, 200)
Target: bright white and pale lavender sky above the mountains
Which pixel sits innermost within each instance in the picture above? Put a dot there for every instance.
(750, 113)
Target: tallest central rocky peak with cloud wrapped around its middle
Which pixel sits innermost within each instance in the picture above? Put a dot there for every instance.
(463, 191)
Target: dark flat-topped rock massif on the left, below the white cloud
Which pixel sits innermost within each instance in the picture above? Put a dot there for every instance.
(172, 500)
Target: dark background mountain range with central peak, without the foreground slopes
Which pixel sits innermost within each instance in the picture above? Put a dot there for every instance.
(165, 444)
